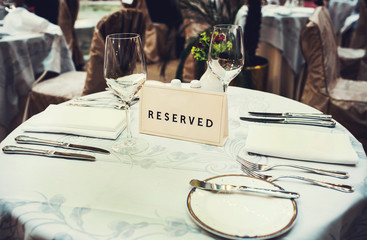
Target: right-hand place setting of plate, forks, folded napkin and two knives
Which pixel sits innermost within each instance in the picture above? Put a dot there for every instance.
(286, 146)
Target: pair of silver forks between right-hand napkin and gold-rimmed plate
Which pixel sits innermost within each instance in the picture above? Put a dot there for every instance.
(253, 169)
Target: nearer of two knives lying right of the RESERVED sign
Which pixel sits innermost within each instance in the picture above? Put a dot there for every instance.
(313, 122)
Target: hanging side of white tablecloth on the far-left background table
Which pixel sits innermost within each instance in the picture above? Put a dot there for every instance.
(23, 58)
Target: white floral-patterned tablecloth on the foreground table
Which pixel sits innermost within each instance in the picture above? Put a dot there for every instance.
(144, 196)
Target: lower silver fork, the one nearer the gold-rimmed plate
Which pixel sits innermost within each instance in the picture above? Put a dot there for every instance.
(339, 187)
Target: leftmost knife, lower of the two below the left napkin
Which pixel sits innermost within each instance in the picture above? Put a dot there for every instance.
(48, 153)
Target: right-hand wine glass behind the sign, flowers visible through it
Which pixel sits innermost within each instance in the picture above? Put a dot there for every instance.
(226, 52)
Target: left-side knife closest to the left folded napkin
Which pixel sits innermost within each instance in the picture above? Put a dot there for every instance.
(33, 140)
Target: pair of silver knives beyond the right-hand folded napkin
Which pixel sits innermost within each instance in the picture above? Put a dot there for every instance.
(313, 119)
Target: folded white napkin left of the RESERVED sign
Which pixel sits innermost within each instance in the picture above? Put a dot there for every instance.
(84, 121)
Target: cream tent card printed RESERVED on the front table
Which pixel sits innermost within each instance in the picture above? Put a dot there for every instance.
(186, 114)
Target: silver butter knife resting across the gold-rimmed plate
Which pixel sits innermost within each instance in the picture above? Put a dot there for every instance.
(242, 189)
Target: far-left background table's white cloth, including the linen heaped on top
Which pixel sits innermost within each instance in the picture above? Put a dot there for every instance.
(30, 46)
